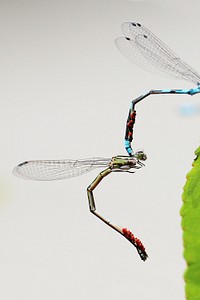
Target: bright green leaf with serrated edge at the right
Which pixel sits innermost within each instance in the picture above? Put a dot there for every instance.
(190, 213)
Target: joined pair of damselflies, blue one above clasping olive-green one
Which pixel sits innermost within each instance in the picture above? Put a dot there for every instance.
(143, 48)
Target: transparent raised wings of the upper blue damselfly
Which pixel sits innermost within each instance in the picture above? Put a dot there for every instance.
(145, 50)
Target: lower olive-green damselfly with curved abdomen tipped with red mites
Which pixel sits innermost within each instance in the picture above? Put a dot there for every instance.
(63, 169)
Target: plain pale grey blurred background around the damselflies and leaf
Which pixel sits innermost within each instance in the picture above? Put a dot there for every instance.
(65, 93)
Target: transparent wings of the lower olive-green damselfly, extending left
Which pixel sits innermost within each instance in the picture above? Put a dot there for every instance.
(58, 169)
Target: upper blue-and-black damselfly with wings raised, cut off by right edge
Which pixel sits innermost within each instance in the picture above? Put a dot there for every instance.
(145, 50)
